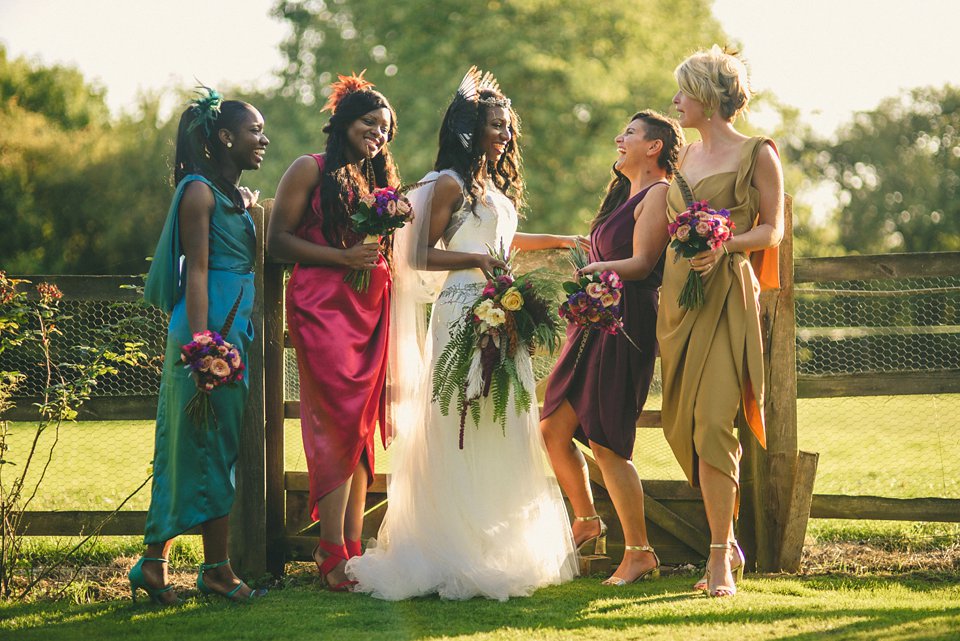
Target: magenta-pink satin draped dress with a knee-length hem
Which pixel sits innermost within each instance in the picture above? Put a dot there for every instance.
(341, 340)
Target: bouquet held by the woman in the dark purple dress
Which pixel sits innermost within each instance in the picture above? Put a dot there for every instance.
(593, 301)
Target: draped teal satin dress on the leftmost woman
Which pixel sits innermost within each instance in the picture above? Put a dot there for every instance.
(193, 468)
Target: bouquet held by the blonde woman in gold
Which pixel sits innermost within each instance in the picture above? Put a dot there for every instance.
(697, 229)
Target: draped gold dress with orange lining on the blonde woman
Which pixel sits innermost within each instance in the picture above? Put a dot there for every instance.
(712, 357)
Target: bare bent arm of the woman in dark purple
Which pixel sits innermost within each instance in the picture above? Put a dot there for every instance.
(650, 237)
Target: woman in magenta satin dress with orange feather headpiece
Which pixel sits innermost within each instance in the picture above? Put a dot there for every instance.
(340, 335)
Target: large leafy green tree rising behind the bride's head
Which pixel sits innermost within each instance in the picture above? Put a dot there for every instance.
(575, 73)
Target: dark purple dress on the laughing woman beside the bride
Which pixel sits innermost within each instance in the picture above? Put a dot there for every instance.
(609, 385)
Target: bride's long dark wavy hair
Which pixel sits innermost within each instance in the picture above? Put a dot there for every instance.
(506, 172)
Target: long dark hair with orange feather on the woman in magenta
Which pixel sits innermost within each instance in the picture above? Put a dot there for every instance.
(343, 183)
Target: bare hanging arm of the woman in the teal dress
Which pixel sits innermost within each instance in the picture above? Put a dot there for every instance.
(196, 208)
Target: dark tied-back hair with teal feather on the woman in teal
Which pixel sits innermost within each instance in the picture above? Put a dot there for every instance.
(199, 149)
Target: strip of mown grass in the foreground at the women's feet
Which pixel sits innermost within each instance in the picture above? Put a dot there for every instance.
(767, 608)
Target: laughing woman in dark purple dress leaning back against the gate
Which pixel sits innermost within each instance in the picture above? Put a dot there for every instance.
(598, 399)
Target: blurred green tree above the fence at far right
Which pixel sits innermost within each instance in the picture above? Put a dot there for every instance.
(898, 169)
